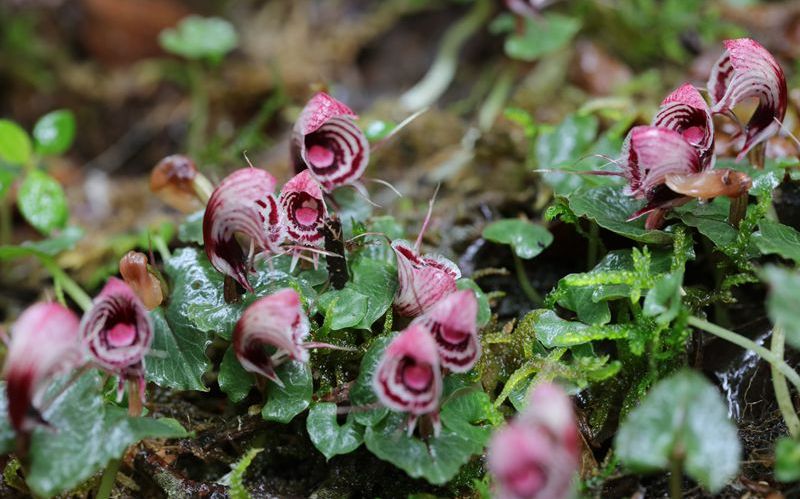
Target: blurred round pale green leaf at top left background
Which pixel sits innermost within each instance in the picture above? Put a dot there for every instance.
(198, 37)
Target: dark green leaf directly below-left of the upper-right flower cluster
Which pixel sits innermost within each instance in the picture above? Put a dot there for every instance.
(610, 208)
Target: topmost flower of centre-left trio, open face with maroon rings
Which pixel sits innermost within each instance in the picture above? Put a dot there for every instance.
(327, 141)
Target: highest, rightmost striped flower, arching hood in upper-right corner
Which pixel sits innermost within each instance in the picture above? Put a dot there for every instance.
(747, 70)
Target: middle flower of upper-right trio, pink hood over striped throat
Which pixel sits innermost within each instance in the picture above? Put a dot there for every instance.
(686, 112)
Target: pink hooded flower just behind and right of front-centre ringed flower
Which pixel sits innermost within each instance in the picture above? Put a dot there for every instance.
(453, 323)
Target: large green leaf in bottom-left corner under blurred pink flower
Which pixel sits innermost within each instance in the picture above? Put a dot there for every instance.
(88, 435)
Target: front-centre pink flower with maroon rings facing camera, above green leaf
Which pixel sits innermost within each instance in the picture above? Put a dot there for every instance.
(408, 377)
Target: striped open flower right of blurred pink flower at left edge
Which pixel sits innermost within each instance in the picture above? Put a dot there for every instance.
(116, 333)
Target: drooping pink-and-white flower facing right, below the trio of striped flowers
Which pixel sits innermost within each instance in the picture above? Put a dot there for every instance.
(276, 320)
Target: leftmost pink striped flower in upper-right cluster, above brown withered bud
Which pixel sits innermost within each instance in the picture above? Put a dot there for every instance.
(650, 153)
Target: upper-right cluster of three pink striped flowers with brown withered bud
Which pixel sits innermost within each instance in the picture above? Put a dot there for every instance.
(671, 161)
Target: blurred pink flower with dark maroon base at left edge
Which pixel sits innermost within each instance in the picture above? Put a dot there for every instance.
(44, 344)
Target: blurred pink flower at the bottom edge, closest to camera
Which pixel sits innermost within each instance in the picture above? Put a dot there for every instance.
(537, 455)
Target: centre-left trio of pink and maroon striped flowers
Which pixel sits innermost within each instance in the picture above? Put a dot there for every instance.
(329, 151)
